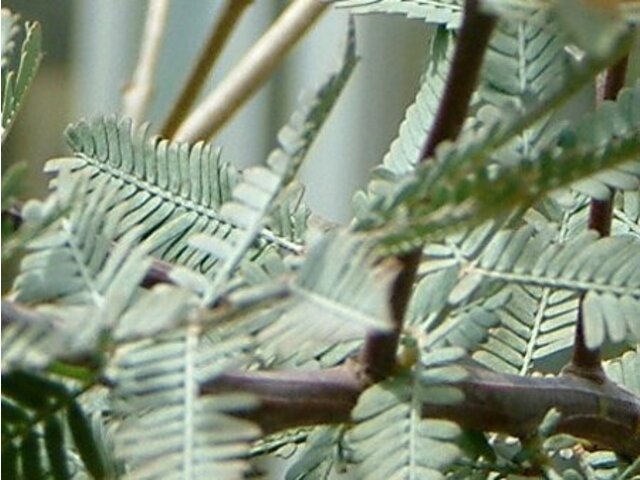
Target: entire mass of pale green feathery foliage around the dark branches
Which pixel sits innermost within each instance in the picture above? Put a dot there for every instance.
(253, 284)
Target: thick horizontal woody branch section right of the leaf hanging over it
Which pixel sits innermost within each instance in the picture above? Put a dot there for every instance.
(601, 412)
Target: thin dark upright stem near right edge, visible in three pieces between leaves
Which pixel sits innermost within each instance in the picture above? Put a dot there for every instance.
(584, 361)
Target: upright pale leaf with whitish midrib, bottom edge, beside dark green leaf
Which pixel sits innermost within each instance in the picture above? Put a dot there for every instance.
(170, 430)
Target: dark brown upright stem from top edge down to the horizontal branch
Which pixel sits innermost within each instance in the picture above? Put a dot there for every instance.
(378, 354)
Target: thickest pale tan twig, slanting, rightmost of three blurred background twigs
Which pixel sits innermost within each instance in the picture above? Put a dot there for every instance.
(252, 71)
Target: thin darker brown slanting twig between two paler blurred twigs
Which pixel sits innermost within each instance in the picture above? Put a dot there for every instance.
(227, 20)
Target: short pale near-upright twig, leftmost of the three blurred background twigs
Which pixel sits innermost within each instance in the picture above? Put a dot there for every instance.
(138, 93)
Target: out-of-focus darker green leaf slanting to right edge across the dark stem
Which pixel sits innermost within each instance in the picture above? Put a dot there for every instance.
(454, 199)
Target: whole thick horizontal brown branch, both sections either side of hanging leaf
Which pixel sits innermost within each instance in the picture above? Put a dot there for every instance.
(603, 413)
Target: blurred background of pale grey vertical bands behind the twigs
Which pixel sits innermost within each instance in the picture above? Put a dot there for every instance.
(90, 52)
